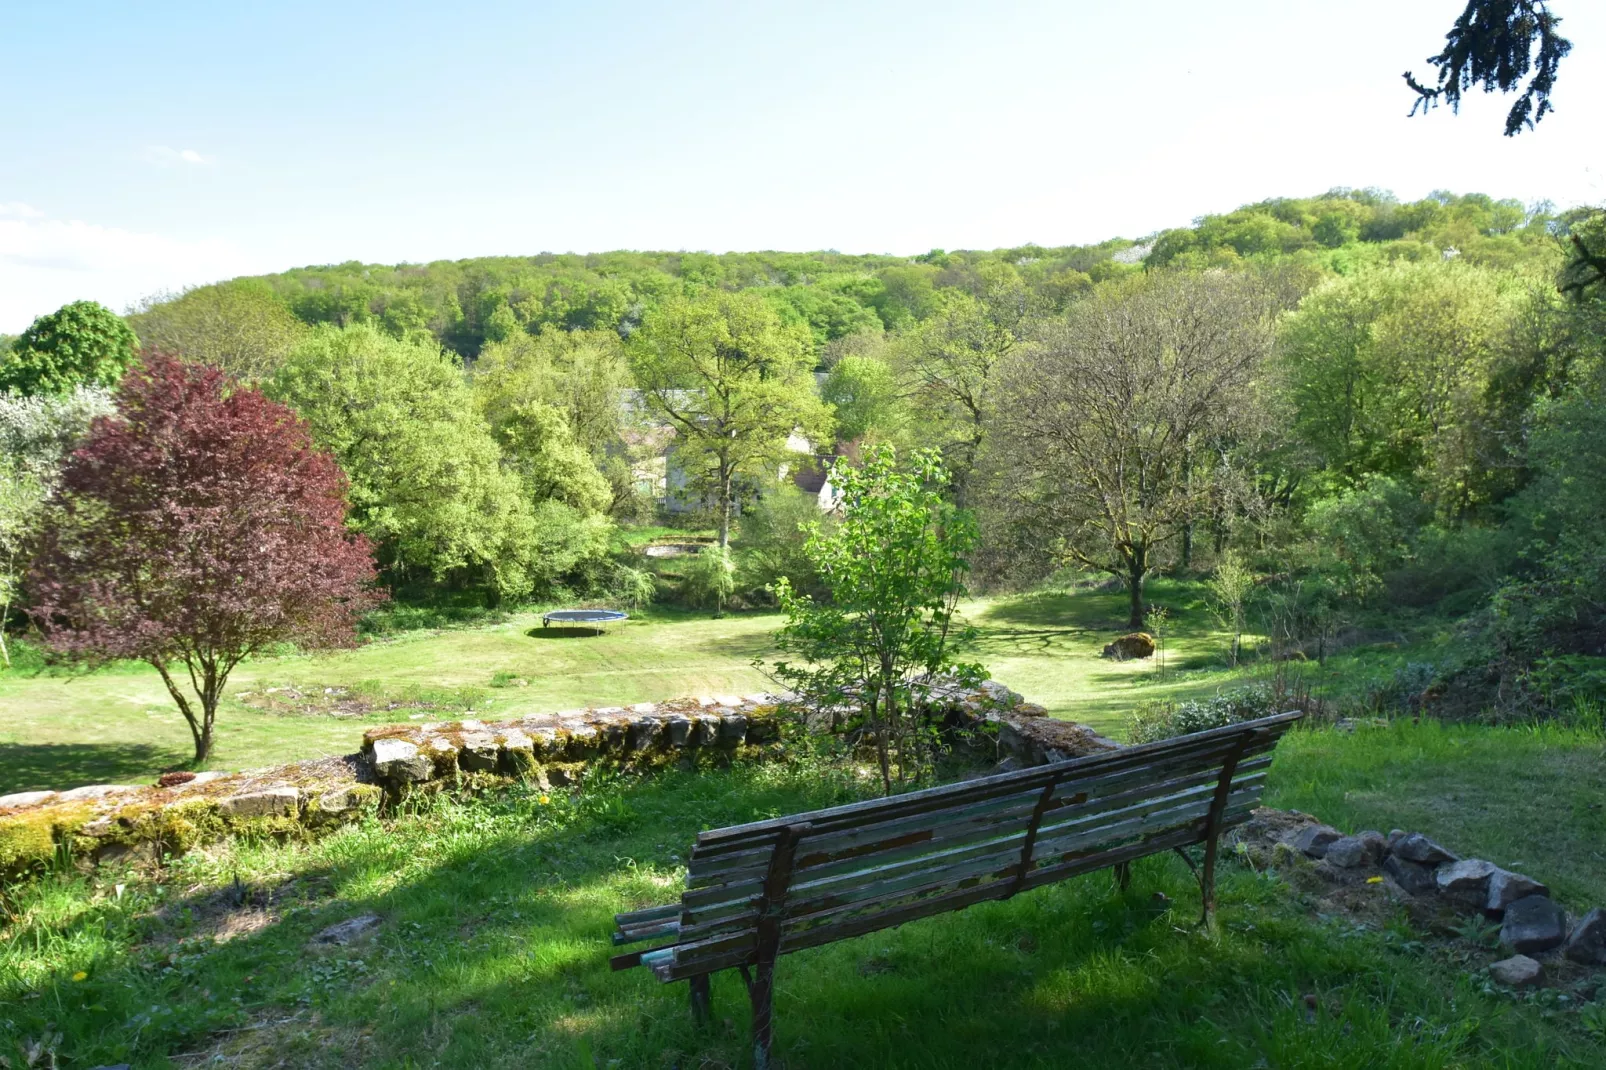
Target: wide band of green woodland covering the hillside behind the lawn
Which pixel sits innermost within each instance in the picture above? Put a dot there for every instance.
(1371, 410)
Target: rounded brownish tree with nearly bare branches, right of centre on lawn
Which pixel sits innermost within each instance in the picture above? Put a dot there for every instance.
(1115, 435)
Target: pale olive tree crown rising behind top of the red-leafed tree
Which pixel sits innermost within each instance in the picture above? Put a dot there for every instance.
(242, 327)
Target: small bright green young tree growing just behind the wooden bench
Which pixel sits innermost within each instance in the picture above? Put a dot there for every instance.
(895, 571)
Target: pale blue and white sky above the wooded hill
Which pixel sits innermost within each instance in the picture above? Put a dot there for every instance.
(158, 145)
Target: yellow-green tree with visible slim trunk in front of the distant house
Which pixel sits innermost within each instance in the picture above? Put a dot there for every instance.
(735, 383)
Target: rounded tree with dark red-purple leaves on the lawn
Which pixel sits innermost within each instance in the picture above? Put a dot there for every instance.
(195, 528)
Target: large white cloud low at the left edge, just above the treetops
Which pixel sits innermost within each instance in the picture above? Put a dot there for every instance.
(49, 263)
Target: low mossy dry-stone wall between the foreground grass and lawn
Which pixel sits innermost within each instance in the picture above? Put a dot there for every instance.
(142, 823)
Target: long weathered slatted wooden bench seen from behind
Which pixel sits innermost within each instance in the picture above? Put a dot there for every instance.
(756, 892)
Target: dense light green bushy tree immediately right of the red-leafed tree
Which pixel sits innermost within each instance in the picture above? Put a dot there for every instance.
(428, 486)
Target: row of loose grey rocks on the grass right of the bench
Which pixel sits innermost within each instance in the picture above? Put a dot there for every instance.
(1531, 921)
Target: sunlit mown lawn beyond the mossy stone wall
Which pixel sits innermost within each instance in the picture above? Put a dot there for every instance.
(118, 725)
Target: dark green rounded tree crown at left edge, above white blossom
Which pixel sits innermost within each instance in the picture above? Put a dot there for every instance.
(83, 345)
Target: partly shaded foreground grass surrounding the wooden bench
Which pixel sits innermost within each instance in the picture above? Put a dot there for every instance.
(492, 947)
